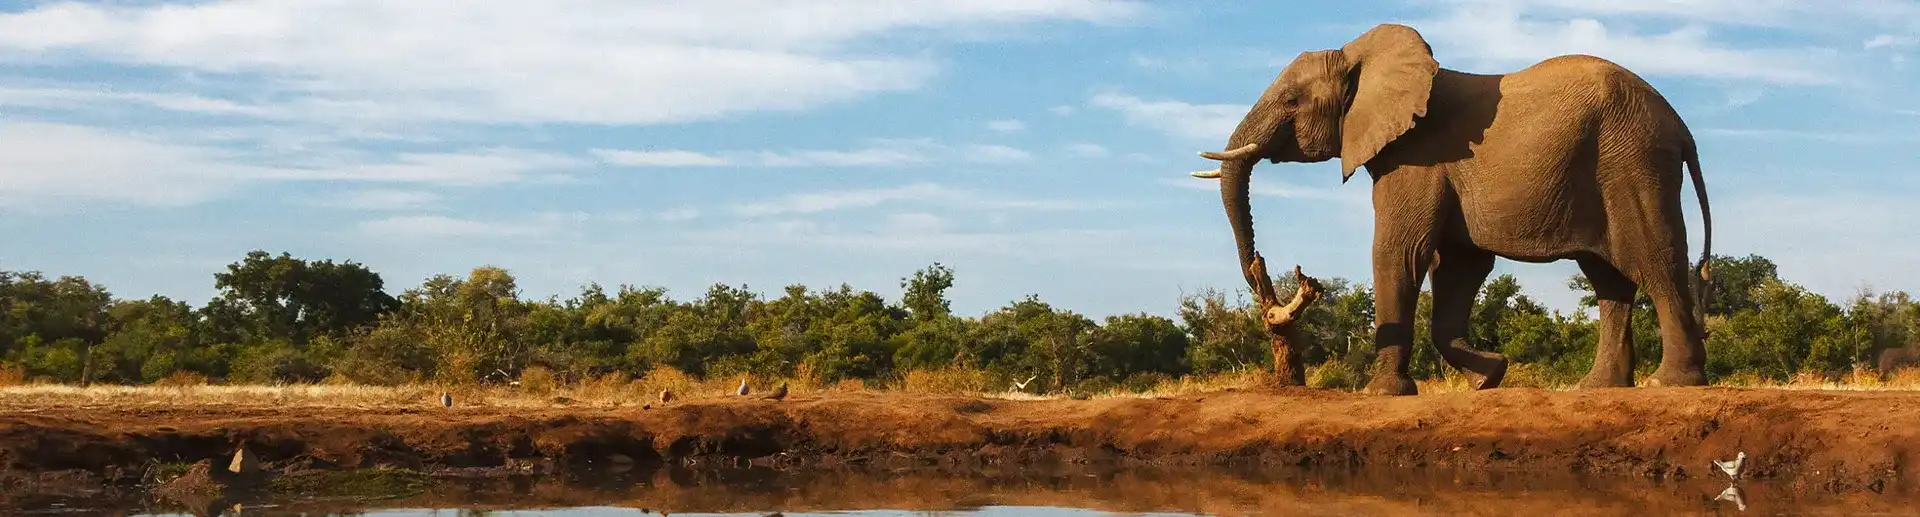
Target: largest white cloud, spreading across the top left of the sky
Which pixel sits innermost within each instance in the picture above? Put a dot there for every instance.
(516, 62)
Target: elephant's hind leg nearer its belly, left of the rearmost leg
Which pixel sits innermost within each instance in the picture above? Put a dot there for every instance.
(1614, 357)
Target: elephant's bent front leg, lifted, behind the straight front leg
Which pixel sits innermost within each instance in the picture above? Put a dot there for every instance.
(1456, 280)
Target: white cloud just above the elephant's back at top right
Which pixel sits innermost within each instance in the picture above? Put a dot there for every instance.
(1502, 37)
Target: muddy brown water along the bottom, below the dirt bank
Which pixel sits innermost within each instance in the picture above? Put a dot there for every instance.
(1065, 491)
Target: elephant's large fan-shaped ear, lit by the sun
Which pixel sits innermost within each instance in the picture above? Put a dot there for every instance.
(1395, 74)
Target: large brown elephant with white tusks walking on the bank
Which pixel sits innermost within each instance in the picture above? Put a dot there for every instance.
(1572, 159)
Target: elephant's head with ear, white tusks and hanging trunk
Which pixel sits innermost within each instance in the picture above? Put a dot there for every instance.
(1343, 103)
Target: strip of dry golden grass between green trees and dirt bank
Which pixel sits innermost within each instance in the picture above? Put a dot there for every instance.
(619, 391)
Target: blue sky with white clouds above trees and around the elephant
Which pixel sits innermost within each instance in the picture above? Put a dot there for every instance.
(1032, 145)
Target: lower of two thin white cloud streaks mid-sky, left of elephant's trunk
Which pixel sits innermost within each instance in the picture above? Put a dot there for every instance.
(921, 195)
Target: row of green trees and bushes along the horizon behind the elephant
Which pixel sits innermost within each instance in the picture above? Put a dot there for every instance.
(291, 320)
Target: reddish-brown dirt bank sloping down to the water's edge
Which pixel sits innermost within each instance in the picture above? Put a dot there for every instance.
(1802, 441)
